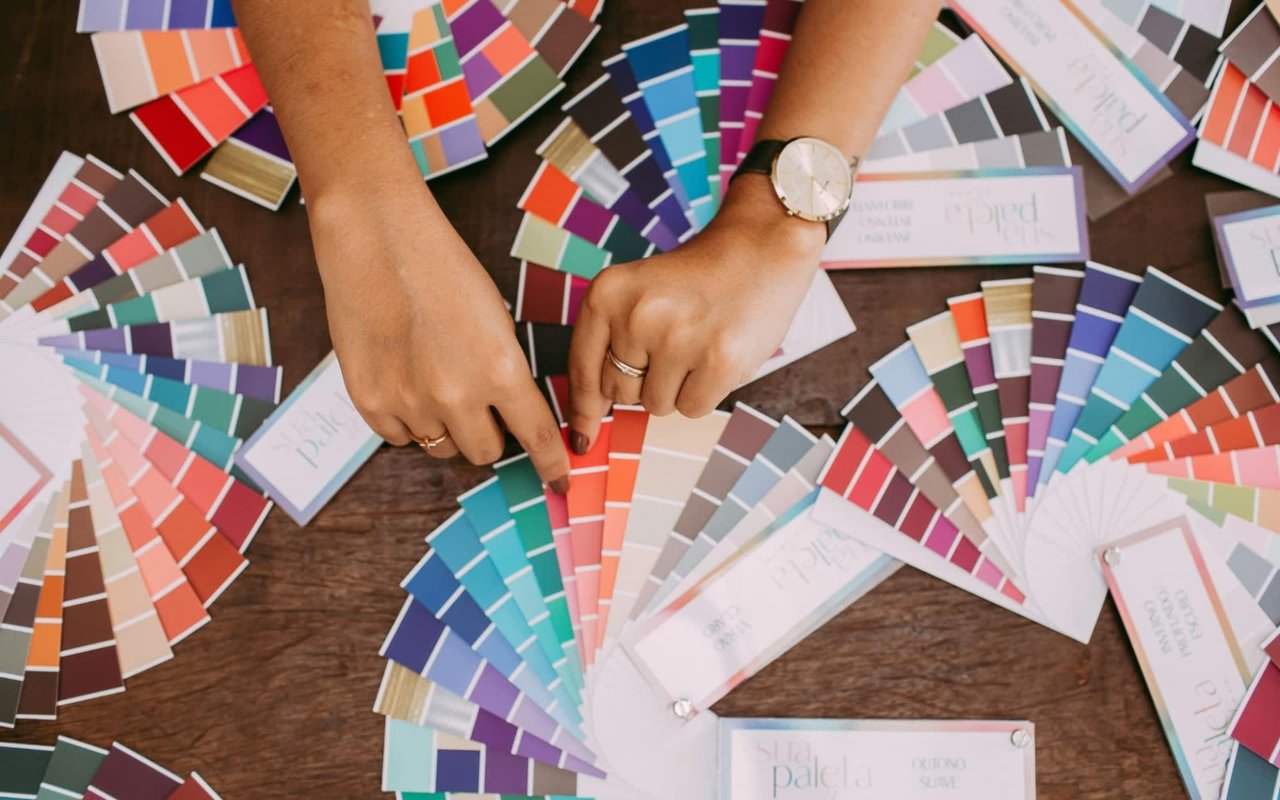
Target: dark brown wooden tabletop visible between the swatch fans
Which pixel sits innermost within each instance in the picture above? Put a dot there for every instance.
(273, 698)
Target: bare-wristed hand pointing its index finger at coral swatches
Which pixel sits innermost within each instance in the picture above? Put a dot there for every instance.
(426, 342)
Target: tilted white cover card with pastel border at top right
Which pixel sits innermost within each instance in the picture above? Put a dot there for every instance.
(1128, 126)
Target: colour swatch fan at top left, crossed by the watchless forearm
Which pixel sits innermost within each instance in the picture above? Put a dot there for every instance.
(461, 75)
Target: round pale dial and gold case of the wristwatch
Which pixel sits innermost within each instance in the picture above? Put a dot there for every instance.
(813, 180)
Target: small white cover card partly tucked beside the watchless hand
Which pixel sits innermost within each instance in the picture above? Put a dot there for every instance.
(313, 444)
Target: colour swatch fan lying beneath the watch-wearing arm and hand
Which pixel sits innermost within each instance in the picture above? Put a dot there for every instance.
(646, 152)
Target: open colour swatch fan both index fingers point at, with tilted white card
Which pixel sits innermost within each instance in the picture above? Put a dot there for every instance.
(566, 646)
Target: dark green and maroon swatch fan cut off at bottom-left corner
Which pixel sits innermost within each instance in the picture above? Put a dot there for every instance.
(74, 769)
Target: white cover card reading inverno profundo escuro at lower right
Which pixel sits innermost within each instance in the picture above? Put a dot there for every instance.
(1192, 665)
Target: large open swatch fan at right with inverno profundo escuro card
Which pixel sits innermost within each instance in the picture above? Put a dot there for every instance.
(1050, 438)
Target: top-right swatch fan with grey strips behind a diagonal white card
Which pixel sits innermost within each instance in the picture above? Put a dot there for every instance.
(1128, 80)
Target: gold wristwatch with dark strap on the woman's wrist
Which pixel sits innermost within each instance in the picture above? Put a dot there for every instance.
(811, 177)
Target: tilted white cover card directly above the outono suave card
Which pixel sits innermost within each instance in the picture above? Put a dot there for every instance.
(725, 629)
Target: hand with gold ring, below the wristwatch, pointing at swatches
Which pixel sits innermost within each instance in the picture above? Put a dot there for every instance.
(701, 319)
